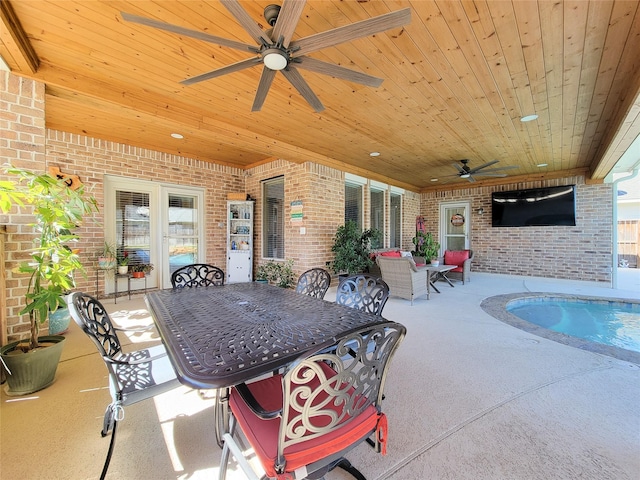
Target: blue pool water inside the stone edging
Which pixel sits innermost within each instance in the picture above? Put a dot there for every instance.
(610, 323)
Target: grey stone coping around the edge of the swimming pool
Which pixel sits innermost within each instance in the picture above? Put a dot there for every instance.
(496, 306)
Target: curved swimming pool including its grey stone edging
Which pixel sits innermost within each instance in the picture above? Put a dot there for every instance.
(602, 325)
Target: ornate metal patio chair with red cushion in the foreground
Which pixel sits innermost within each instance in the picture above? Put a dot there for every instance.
(301, 423)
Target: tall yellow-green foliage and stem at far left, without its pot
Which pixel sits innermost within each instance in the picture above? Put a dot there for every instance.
(58, 210)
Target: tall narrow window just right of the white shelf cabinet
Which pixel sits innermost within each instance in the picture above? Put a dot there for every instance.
(273, 215)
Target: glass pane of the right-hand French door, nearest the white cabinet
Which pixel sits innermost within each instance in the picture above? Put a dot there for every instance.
(182, 231)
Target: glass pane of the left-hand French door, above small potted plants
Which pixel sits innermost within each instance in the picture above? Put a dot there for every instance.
(133, 230)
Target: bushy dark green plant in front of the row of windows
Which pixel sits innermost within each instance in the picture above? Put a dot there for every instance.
(352, 248)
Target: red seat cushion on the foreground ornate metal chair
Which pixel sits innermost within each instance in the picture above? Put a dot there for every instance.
(263, 434)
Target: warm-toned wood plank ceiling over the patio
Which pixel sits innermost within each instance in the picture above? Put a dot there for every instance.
(457, 80)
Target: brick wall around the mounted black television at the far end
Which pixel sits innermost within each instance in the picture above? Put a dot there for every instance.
(583, 252)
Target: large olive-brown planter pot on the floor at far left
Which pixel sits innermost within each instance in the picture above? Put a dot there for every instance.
(32, 371)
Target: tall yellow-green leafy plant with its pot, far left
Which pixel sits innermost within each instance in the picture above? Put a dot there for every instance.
(57, 210)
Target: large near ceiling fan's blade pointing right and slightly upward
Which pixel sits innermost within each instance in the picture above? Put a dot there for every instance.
(350, 32)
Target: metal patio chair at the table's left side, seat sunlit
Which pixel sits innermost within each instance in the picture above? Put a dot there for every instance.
(133, 376)
